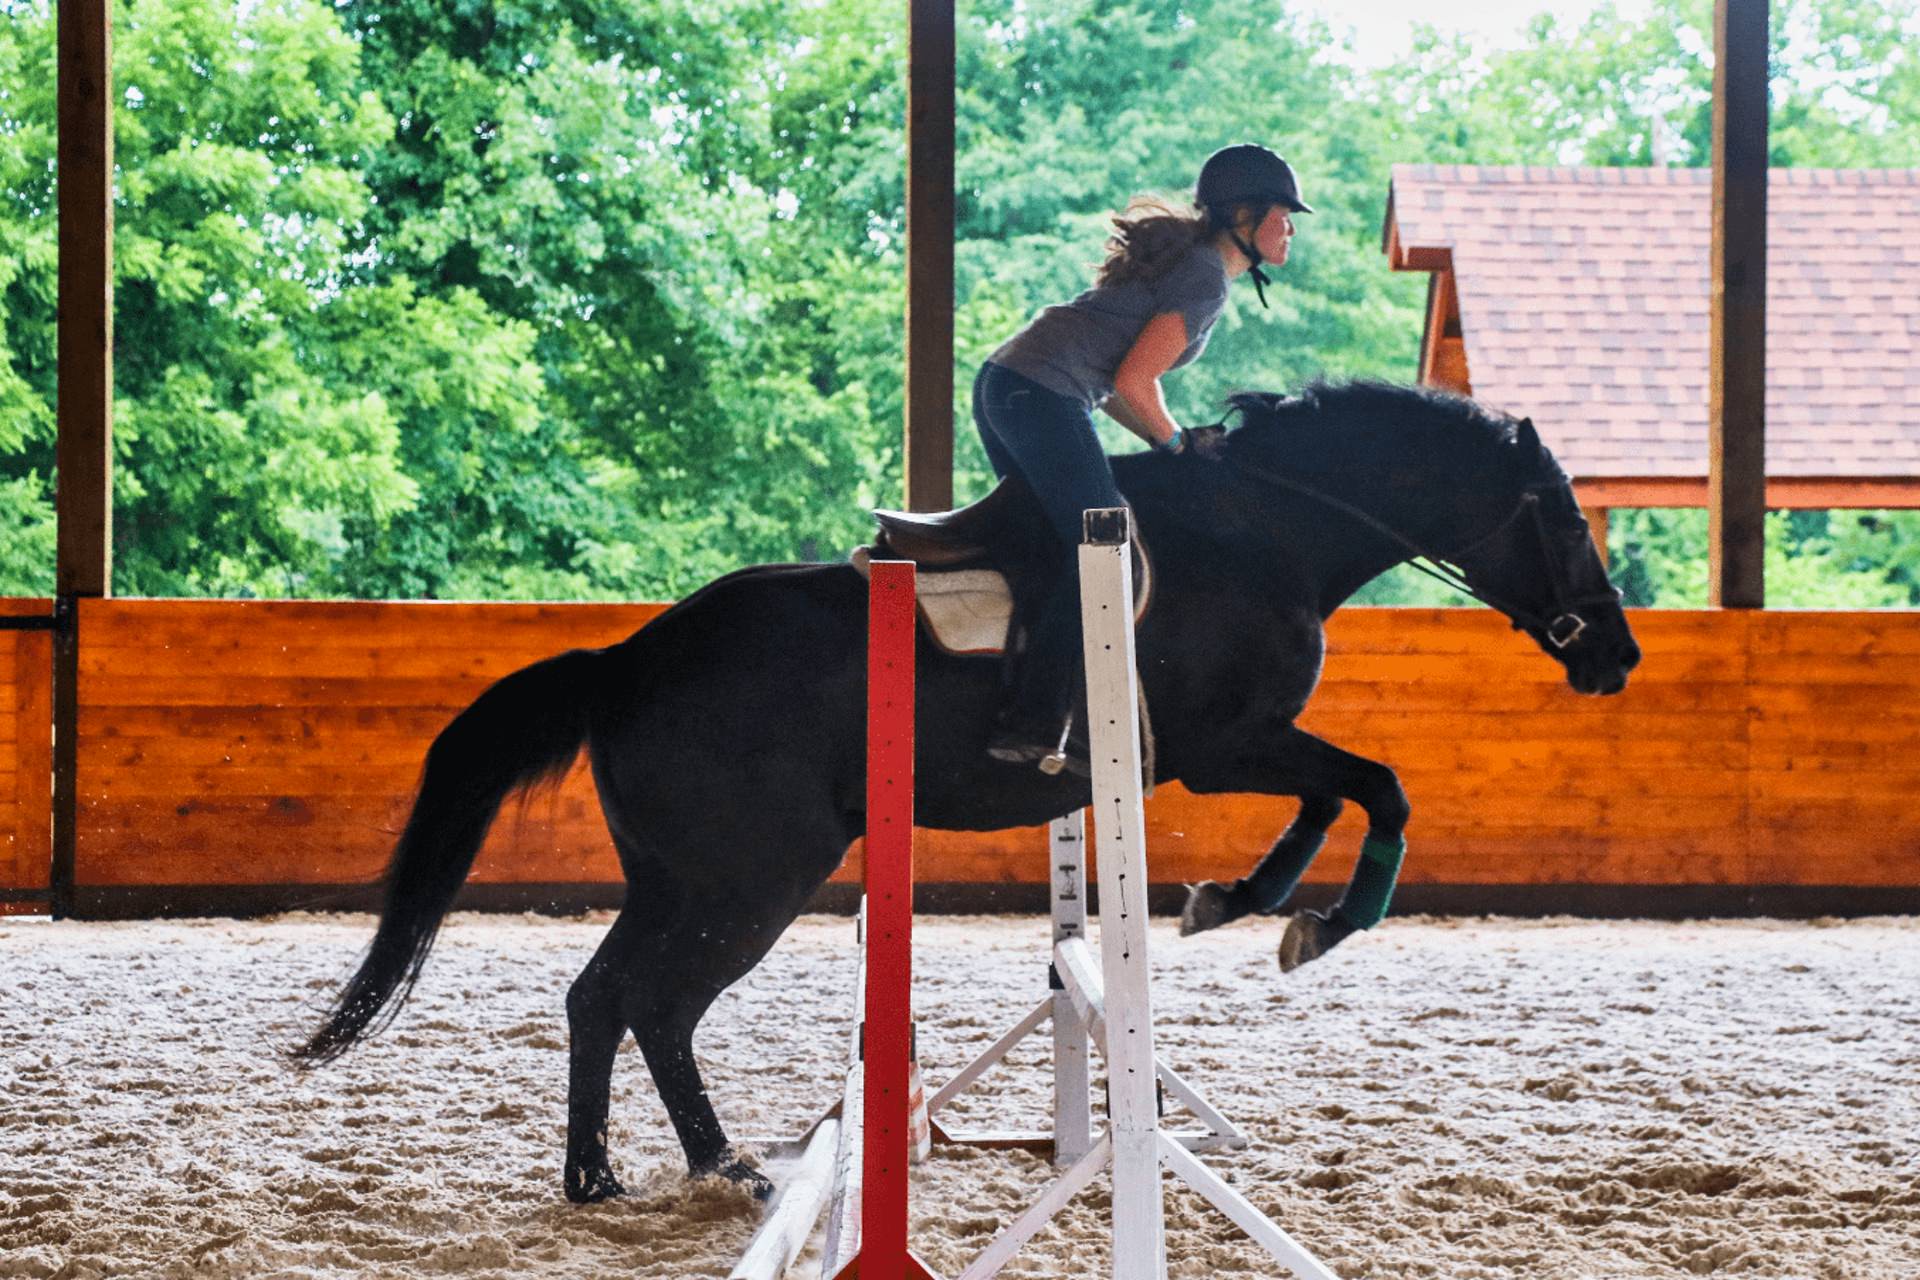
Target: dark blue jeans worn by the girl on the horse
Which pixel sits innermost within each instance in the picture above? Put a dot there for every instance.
(1049, 442)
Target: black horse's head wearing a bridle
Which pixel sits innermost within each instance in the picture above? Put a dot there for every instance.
(1543, 569)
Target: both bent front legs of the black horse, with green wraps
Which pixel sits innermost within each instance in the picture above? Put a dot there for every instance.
(1299, 765)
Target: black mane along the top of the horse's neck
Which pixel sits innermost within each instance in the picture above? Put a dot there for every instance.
(1328, 423)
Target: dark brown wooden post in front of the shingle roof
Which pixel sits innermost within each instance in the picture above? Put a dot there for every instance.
(1737, 410)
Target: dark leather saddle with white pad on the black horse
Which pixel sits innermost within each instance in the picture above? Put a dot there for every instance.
(980, 567)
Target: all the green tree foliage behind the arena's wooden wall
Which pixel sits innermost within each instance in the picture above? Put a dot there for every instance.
(600, 298)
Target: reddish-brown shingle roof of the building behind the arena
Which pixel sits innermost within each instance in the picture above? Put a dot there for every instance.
(1585, 302)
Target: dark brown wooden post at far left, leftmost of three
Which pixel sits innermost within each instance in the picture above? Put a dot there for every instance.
(85, 383)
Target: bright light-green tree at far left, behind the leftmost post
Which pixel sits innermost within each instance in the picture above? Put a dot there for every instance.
(264, 396)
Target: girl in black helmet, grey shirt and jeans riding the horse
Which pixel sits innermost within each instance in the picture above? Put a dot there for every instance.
(1153, 304)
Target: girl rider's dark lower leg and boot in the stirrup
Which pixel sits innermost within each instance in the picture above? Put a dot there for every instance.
(1038, 723)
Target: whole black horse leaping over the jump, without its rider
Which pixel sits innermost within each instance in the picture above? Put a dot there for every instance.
(727, 738)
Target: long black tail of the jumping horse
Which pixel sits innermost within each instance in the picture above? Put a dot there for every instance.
(523, 730)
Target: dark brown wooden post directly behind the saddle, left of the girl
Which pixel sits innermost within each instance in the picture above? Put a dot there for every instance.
(930, 256)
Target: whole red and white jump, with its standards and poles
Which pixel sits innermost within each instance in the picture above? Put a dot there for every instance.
(1093, 1005)
